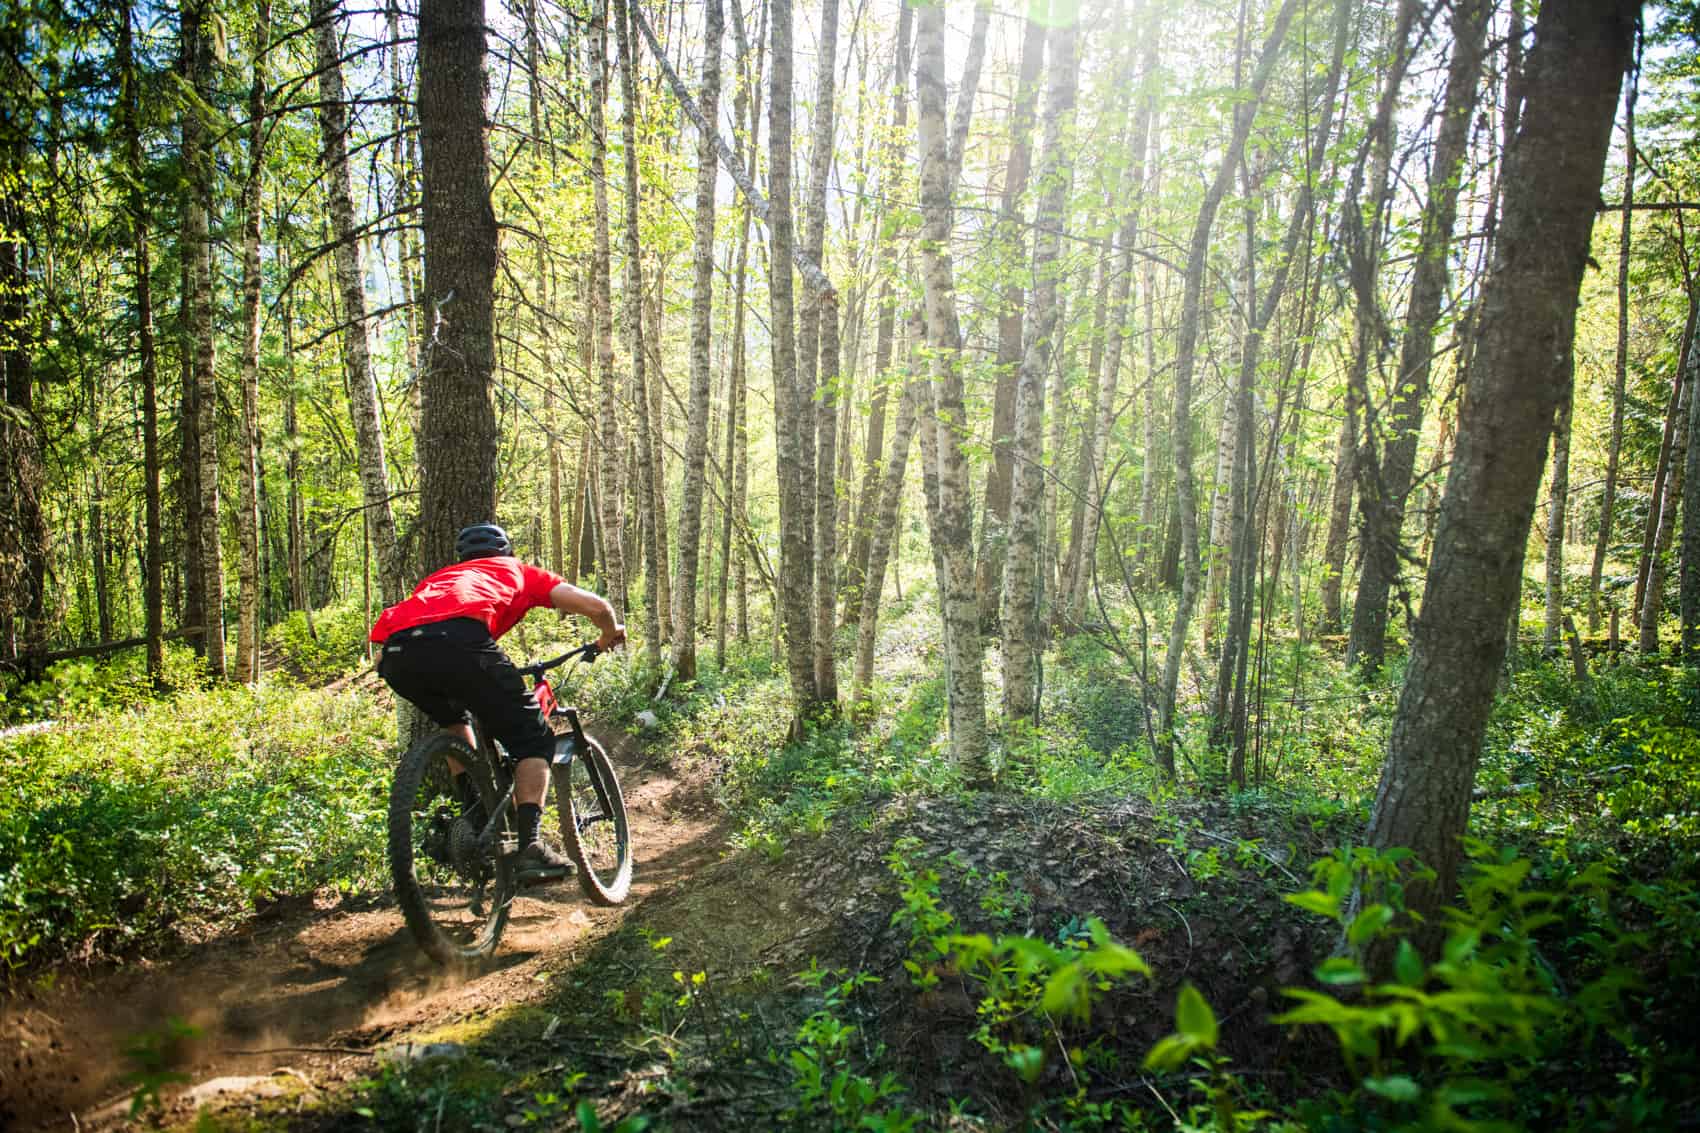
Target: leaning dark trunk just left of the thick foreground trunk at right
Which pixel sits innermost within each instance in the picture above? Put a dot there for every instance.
(1385, 515)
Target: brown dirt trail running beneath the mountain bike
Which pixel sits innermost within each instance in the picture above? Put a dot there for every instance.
(319, 988)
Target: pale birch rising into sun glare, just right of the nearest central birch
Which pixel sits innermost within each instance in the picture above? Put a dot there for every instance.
(1023, 583)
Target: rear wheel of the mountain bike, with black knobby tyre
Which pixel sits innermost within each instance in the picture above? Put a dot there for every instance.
(455, 896)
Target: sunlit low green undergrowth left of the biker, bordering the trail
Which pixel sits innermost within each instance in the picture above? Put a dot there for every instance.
(173, 817)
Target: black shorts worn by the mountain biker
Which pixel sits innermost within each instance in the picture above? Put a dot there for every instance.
(453, 669)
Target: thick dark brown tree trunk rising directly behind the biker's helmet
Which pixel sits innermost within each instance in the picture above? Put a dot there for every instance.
(460, 428)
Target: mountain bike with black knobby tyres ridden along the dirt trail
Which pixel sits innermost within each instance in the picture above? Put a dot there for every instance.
(456, 882)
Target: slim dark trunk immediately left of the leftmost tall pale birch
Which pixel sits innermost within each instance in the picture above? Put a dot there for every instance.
(137, 205)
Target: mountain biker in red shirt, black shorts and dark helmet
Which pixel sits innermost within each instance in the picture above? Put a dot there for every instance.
(441, 654)
